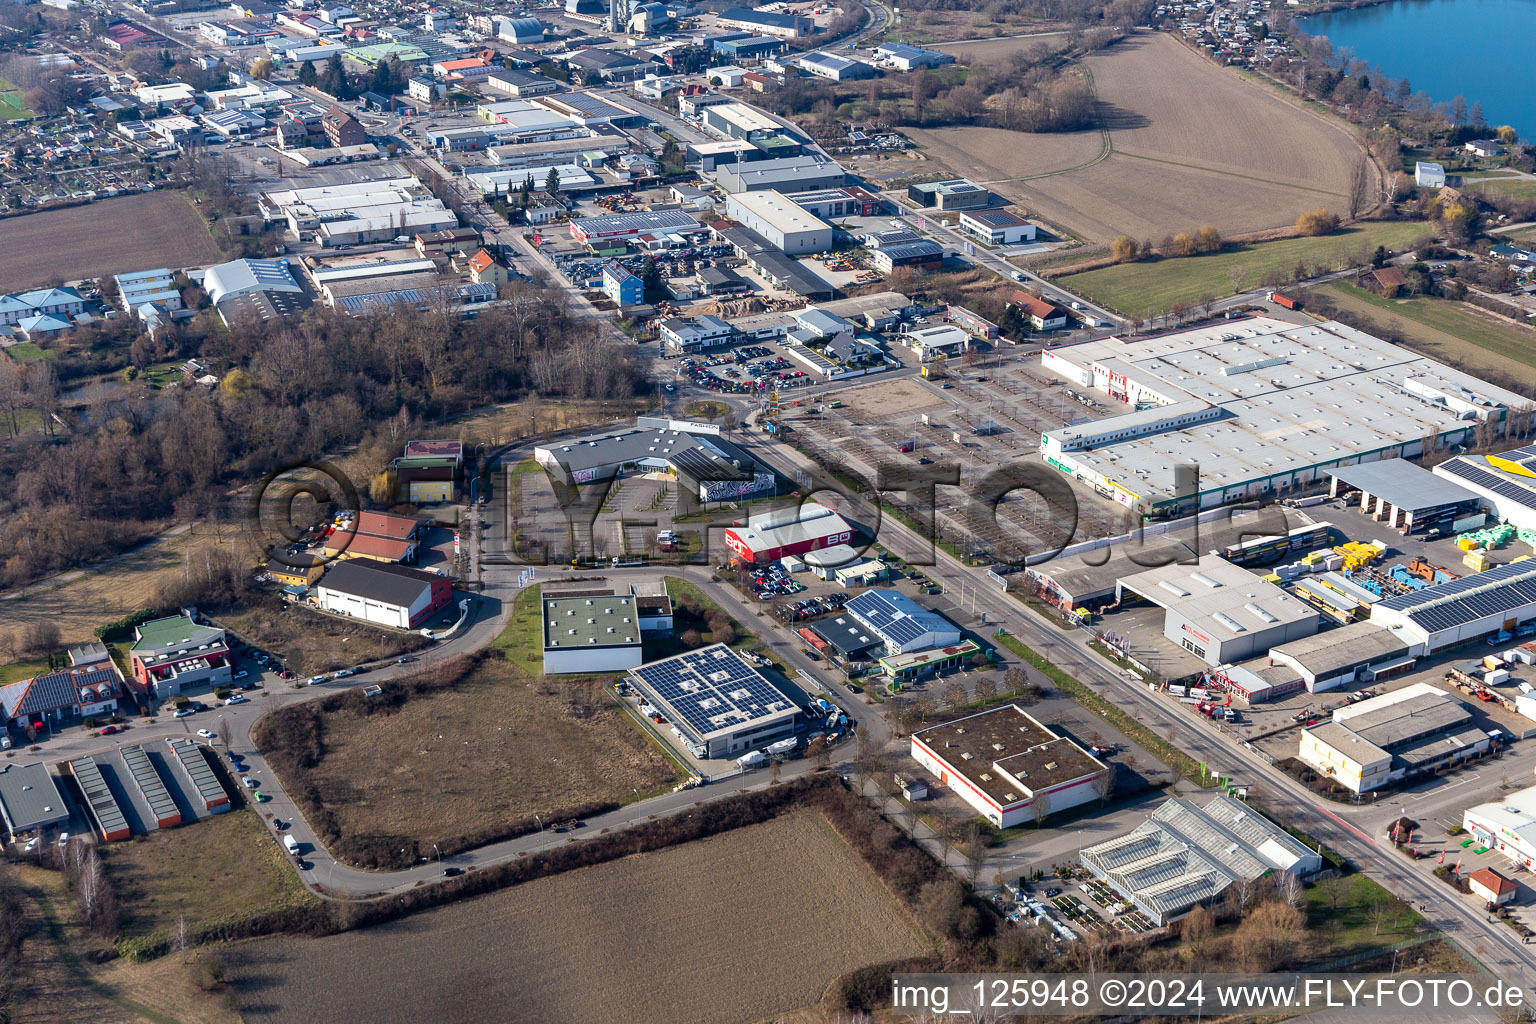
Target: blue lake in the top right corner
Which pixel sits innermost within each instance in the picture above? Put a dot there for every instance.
(1475, 48)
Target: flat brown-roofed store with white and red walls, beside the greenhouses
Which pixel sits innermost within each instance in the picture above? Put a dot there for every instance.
(1008, 767)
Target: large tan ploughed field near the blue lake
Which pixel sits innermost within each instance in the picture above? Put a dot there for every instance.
(1182, 153)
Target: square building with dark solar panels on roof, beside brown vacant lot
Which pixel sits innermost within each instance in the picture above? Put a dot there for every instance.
(713, 690)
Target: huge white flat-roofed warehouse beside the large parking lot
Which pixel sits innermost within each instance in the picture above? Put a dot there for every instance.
(1260, 406)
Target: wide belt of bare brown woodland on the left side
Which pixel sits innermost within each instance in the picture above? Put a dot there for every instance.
(291, 394)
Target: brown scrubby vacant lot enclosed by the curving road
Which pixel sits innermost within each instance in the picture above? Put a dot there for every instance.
(498, 747)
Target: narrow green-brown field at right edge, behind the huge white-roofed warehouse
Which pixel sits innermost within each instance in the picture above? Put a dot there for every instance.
(1448, 331)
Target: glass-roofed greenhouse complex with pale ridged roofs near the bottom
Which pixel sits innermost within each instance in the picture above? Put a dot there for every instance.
(1187, 856)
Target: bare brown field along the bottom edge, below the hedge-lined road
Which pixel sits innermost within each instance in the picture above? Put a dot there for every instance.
(654, 939)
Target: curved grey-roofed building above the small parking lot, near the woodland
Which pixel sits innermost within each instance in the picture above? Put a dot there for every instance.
(692, 454)
